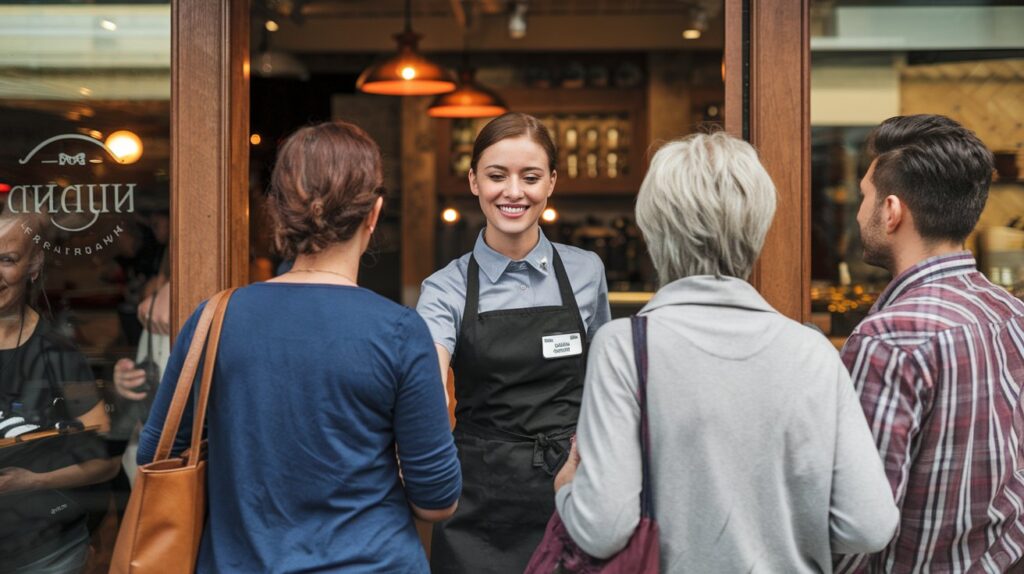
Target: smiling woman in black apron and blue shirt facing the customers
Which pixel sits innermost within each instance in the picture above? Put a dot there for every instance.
(515, 329)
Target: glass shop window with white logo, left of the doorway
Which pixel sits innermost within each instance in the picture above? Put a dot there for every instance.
(84, 287)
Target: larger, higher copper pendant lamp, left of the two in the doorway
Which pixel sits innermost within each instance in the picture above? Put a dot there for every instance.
(407, 73)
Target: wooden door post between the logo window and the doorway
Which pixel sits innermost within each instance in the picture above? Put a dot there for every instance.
(209, 243)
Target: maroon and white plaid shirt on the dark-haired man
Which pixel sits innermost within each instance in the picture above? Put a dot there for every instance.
(940, 365)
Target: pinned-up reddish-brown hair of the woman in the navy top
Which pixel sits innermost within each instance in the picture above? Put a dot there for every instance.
(325, 184)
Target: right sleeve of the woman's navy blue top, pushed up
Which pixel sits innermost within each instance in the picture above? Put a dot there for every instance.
(430, 461)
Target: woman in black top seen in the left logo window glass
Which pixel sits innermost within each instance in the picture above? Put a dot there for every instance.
(46, 386)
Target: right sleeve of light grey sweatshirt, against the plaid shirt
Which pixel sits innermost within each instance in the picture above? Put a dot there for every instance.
(864, 516)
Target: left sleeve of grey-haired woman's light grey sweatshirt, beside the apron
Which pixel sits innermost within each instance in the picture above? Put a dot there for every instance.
(602, 506)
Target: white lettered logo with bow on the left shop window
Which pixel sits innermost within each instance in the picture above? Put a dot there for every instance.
(73, 208)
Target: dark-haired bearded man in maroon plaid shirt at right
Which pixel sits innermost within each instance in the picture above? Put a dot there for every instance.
(940, 362)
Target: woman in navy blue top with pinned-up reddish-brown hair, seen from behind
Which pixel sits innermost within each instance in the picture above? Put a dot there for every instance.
(318, 385)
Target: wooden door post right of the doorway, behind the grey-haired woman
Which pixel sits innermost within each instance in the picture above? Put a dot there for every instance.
(767, 67)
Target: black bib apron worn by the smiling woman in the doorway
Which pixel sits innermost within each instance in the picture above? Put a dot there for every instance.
(516, 414)
